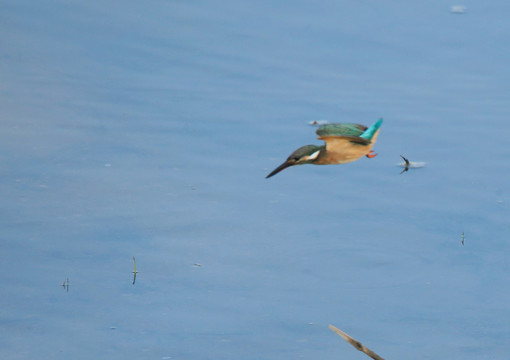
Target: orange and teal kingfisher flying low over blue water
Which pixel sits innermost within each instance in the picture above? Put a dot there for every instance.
(344, 143)
